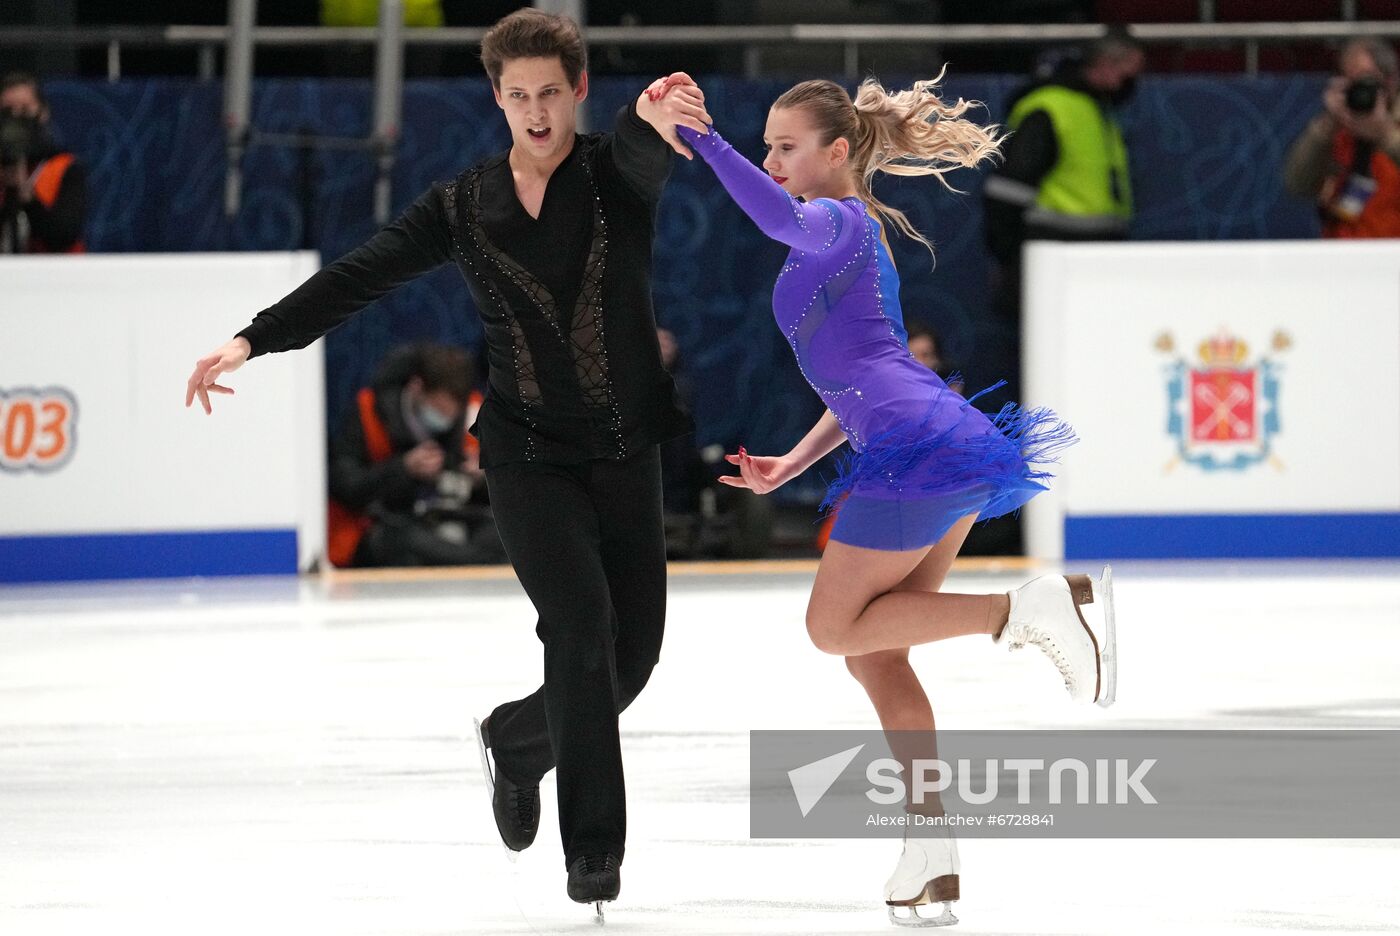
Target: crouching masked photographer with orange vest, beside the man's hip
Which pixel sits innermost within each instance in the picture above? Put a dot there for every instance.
(405, 486)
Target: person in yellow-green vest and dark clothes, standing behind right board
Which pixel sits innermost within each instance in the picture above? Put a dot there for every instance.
(1065, 176)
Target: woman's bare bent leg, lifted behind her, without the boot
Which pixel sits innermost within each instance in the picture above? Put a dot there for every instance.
(856, 608)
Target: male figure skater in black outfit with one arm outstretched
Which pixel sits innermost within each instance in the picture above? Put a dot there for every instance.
(555, 241)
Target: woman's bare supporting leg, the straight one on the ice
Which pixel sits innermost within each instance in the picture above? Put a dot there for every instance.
(891, 682)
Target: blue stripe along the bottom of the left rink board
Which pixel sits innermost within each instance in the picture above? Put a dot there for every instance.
(111, 556)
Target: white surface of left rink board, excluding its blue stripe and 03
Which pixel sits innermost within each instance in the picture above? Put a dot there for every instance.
(121, 335)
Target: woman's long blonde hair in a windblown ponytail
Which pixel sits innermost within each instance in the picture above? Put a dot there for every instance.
(911, 132)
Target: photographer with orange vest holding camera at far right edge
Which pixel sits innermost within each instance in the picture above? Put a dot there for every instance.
(1349, 156)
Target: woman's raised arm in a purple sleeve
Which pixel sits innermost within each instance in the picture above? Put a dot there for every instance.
(807, 227)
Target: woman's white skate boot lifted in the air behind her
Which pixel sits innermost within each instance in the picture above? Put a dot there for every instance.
(1046, 614)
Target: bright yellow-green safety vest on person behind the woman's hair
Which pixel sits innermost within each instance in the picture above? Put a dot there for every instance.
(1091, 155)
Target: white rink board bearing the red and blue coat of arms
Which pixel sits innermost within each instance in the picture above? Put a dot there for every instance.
(1108, 327)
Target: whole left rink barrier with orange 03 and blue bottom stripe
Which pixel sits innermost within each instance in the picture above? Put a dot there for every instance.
(104, 472)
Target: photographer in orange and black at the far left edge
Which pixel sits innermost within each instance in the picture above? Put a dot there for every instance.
(43, 188)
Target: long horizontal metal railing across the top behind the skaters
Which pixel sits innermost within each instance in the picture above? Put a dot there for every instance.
(751, 38)
